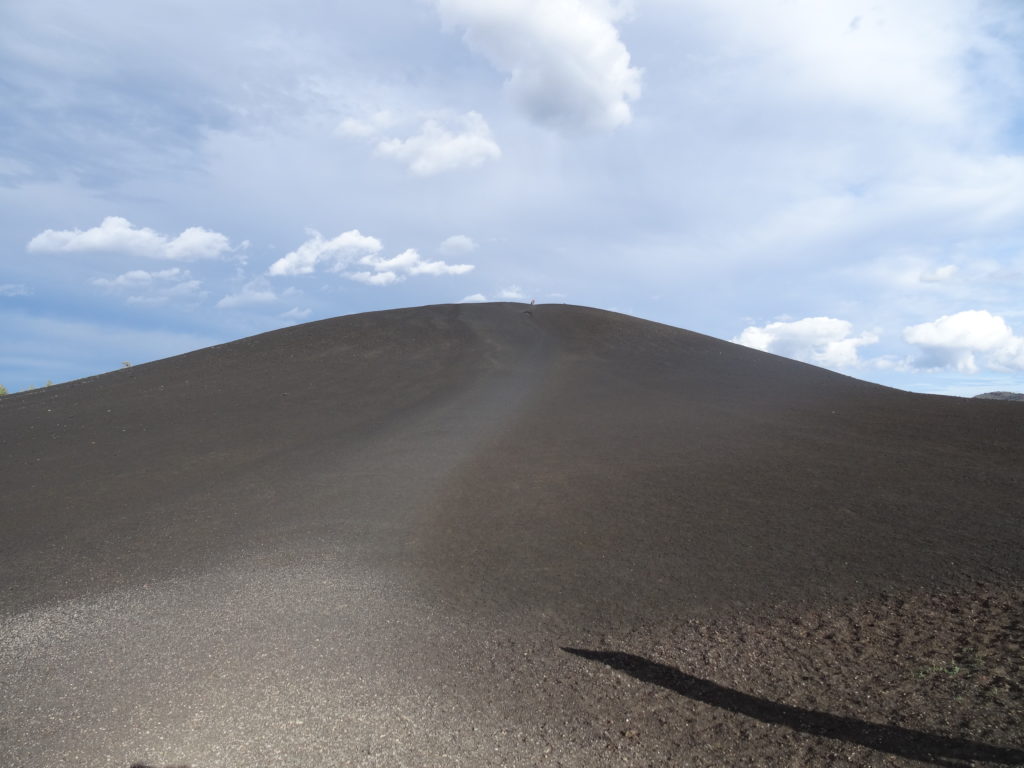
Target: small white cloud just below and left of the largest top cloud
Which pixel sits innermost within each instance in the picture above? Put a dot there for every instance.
(439, 148)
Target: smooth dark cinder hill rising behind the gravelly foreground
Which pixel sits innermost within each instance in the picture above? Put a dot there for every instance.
(568, 456)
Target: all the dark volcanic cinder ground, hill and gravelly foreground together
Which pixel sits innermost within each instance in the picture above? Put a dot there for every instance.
(507, 536)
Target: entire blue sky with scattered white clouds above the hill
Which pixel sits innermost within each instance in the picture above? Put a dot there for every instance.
(840, 183)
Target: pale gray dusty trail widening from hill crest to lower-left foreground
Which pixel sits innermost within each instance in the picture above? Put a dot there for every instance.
(304, 642)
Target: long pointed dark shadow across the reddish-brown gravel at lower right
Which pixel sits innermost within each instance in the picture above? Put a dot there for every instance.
(926, 748)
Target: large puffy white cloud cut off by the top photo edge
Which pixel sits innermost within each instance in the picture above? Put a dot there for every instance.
(566, 63)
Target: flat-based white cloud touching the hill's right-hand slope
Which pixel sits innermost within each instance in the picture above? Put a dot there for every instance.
(823, 342)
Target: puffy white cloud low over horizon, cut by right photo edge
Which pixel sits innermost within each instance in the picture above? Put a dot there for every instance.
(964, 340)
